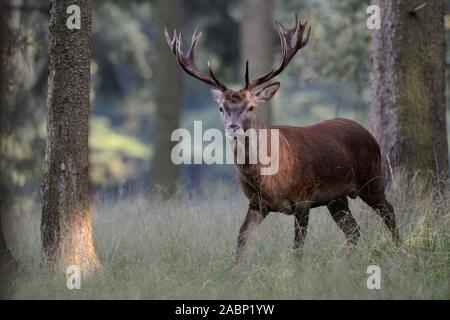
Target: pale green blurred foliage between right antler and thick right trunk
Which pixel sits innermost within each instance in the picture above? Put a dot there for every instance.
(339, 47)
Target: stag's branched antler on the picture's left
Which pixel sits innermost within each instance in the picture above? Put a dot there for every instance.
(187, 61)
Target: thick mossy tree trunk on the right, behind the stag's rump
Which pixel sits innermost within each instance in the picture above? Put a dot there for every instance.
(407, 113)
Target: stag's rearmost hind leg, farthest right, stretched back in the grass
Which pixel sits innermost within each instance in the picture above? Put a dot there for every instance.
(373, 195)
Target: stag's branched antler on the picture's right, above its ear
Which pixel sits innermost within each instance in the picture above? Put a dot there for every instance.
(288, 52)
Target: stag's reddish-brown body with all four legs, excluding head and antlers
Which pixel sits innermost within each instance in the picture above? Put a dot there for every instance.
(320, 165)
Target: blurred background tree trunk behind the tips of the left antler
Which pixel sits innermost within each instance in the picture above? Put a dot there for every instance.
(168, 86)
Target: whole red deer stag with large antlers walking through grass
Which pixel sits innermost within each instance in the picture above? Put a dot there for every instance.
(319, 165)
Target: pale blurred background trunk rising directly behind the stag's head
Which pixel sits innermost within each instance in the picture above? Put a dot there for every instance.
(257, 43)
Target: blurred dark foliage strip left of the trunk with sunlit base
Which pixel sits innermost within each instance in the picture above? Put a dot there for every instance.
(23, 123)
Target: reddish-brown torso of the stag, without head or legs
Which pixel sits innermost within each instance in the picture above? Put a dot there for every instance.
(318, 164)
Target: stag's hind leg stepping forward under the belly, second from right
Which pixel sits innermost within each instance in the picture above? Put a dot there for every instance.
(341, 214)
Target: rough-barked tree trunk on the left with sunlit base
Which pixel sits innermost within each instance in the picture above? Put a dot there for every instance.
(66, 226)
